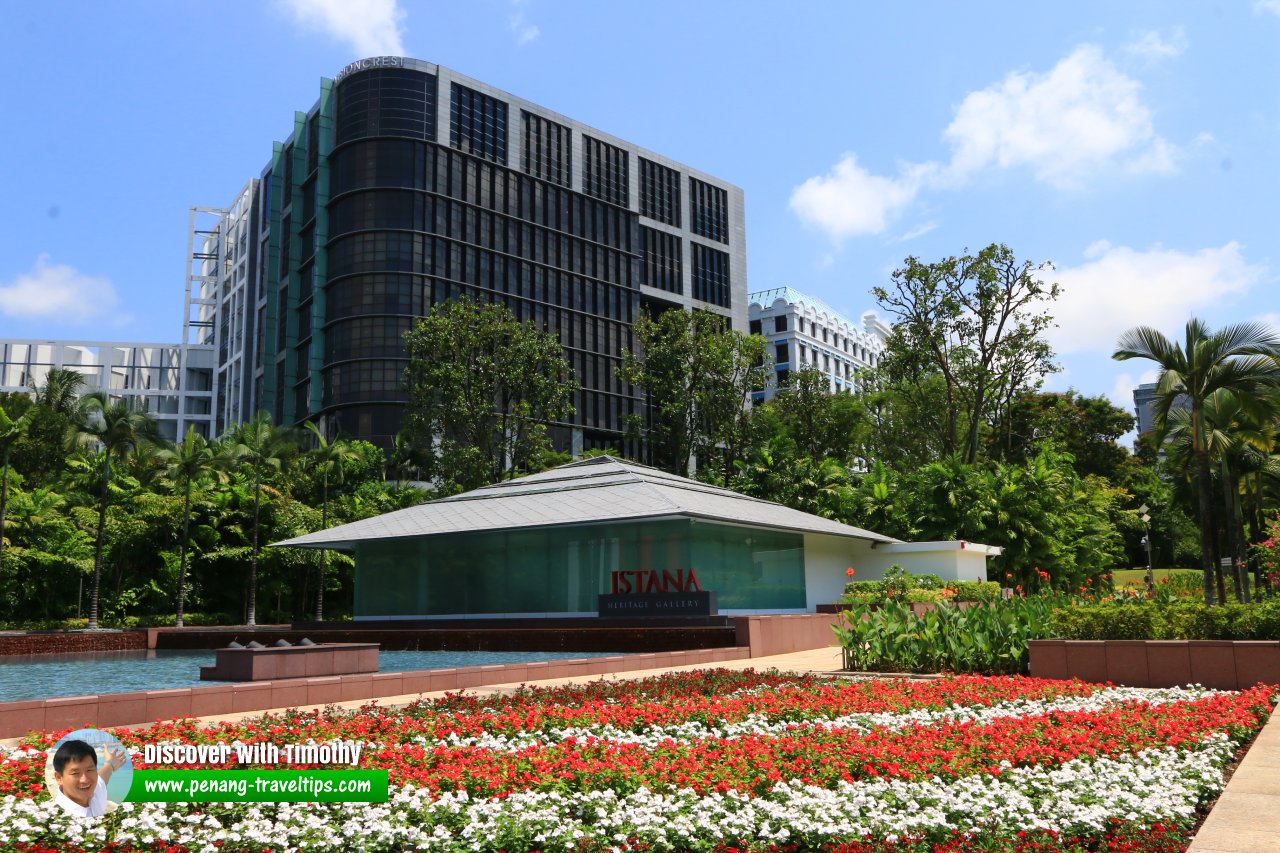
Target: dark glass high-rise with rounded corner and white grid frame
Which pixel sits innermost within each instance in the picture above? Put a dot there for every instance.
(406, 185)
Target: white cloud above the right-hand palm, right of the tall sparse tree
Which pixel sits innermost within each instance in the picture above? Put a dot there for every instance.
(1119, 288)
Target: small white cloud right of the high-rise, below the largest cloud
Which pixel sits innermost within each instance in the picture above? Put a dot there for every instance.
(851, 202)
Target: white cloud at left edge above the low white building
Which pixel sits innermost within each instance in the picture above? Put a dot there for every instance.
(58, 291)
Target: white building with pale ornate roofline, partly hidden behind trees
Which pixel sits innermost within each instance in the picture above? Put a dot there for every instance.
(806, 332)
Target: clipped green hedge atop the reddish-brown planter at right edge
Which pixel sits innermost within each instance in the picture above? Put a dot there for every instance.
(1183, 621)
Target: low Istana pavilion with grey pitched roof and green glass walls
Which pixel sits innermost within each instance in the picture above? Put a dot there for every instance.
(552, 544)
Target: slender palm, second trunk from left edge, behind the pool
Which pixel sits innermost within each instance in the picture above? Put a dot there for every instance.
(116, 430)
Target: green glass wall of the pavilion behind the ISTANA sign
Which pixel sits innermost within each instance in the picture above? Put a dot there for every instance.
(563, 571)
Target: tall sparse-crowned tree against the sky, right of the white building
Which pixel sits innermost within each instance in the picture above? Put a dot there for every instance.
(979, 322)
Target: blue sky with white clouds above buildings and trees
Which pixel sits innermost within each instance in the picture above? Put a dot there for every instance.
(1135, 145)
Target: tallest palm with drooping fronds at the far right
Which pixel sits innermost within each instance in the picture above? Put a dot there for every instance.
(1240, 358)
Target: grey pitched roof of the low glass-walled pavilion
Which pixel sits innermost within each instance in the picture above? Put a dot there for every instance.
(595, 491)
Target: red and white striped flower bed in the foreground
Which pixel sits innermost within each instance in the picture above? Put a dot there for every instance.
(716, 763)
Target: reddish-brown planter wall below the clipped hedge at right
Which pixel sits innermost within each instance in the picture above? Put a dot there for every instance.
(1227, 665)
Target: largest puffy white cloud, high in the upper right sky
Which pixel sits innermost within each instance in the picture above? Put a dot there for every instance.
(1066, 125)
